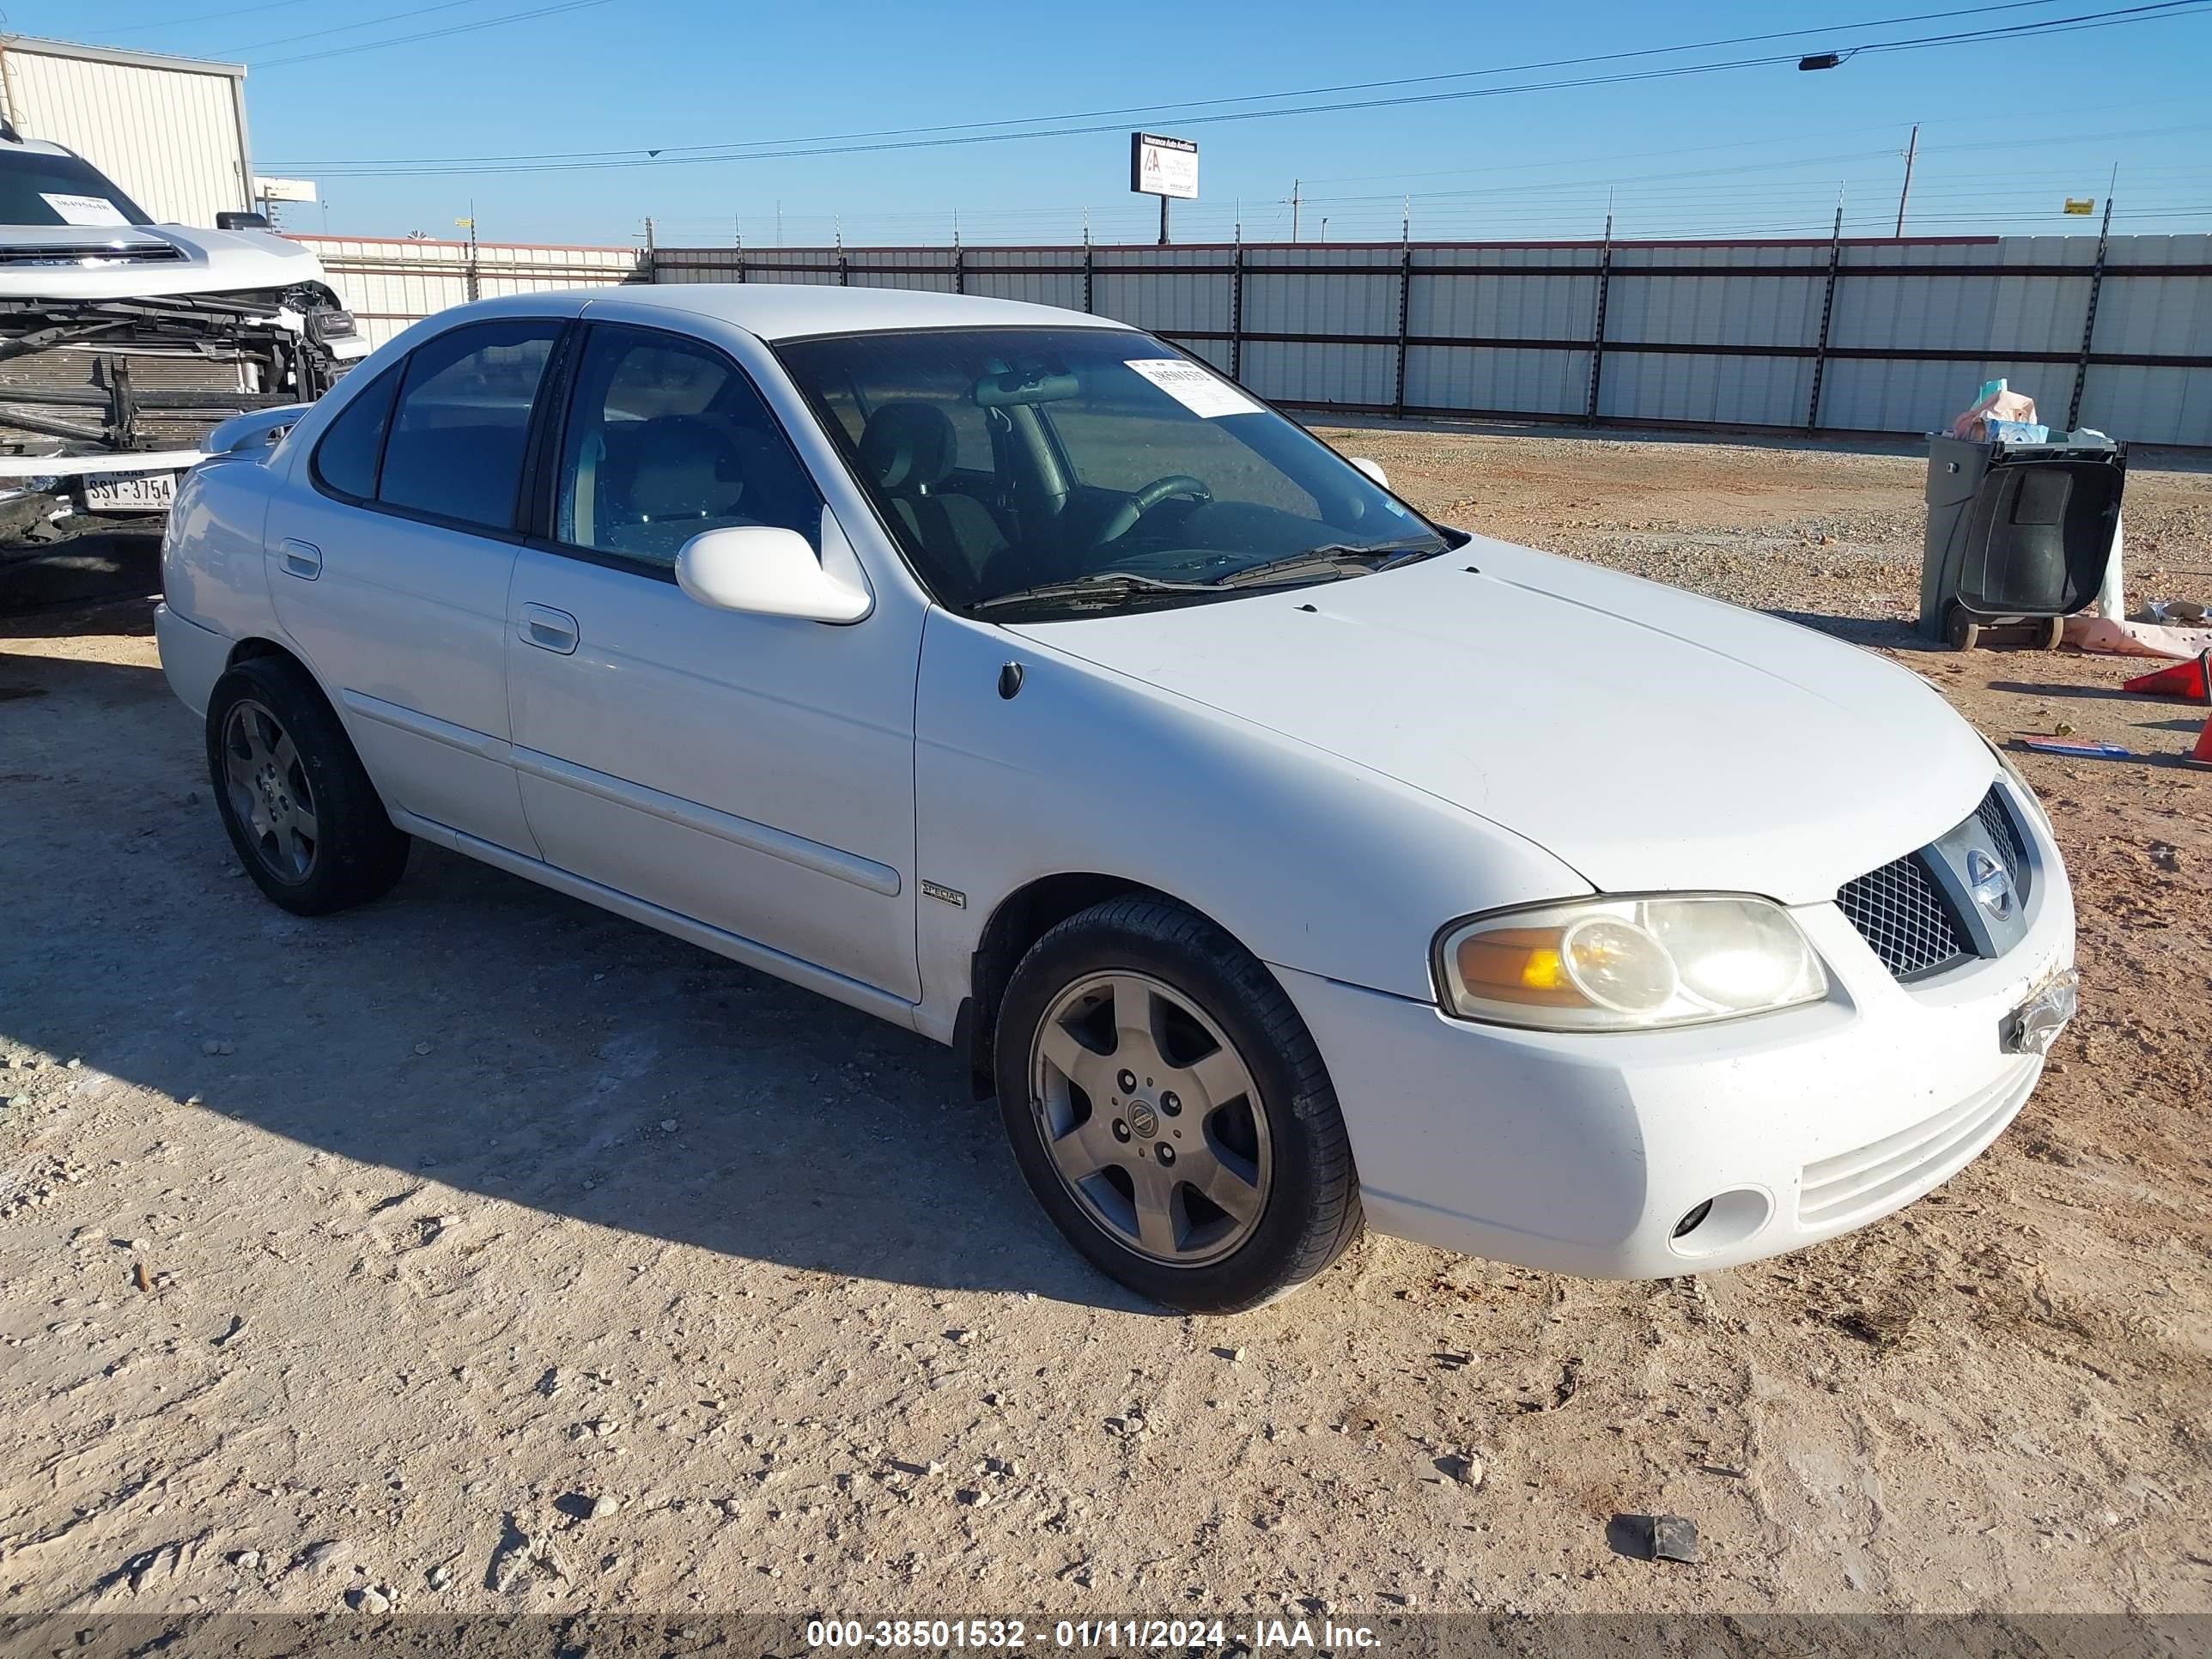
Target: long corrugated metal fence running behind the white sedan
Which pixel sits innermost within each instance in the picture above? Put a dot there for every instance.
(1886, 337)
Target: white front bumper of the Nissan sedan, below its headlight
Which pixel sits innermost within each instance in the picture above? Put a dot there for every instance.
(1583, 1154)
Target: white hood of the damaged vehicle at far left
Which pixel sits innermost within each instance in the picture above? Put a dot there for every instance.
(147, 262)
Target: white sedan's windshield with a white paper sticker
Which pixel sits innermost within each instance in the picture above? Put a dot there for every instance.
(1061, 470)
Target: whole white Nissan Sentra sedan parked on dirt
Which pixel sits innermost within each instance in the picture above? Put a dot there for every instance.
(1284, 862)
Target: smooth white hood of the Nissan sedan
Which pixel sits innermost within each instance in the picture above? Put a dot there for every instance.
(1647, 738)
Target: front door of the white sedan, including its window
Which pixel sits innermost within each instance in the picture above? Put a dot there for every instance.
(749, 773)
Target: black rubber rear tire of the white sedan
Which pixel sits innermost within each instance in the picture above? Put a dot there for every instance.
(355, 855)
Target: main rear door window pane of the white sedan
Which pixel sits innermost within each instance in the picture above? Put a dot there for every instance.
(463, 421)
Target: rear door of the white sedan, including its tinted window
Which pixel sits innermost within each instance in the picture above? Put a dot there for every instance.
(390, 565)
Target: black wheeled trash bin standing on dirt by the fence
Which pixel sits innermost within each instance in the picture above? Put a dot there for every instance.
(2018, 534)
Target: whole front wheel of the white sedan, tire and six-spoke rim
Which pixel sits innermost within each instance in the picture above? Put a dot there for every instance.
(1171, 1112)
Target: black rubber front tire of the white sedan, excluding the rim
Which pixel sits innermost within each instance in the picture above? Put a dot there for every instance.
(1311, 1209)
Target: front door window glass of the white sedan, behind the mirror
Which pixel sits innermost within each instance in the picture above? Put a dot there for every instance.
(667, 439)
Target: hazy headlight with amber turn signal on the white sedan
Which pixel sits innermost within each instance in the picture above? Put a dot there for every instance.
(1627, 963)
